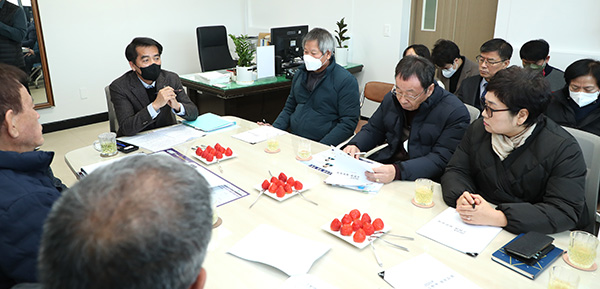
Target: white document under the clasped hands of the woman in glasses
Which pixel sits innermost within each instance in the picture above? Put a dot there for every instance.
(448, 228)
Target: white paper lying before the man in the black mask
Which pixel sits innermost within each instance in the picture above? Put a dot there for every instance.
(164, 138)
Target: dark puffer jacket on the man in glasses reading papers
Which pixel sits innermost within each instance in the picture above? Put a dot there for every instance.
(436, 130)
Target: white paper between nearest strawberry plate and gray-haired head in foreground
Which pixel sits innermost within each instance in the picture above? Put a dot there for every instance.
(285, 251)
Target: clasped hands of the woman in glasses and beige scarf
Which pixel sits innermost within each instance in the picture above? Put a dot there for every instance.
(474, 209)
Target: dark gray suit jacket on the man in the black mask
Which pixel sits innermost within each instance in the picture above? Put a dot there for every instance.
(130, 100)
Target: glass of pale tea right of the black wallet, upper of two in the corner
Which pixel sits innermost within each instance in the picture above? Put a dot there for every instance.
(582, 249)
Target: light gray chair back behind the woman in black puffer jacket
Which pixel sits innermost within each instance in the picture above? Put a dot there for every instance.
(590, 146)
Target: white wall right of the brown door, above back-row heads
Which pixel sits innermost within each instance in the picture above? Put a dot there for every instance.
(570, 27)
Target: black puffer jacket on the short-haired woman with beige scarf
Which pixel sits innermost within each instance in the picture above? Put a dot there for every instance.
(539, 186)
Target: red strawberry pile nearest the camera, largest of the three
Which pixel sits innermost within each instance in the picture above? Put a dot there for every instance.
(353, 222)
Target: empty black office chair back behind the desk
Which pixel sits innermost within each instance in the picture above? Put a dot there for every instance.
(213, 50)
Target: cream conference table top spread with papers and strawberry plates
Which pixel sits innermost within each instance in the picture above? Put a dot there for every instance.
(343, 266)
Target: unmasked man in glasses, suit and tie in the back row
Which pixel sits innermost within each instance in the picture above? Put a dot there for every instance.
(494, 55)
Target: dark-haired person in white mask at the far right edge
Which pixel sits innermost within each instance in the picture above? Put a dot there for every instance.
(577, 105)
